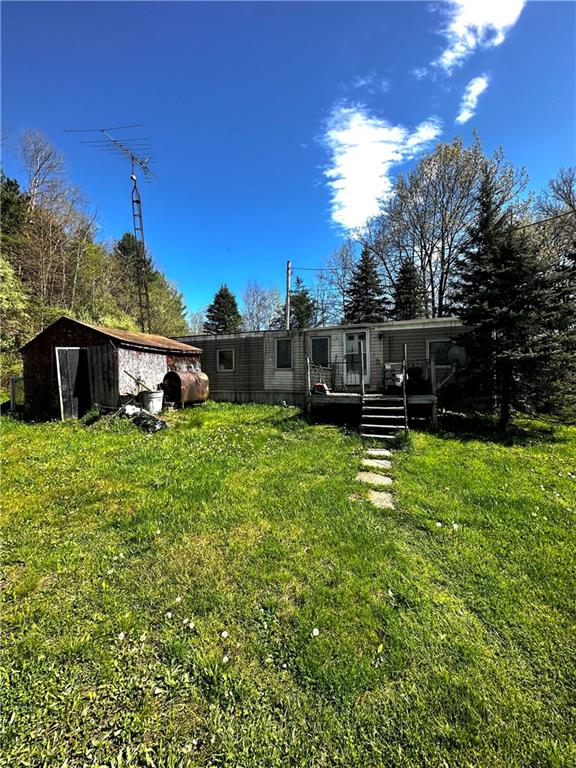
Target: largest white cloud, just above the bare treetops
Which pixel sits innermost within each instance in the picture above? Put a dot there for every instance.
(364, 150)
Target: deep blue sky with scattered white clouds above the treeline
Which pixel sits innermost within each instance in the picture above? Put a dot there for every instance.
(277, 126)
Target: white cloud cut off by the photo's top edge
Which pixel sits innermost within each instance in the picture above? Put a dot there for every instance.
(476, 24)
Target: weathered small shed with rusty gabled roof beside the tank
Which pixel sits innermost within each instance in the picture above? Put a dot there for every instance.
(71, 366)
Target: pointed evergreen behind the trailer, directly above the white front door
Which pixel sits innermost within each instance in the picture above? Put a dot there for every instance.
(365, 302)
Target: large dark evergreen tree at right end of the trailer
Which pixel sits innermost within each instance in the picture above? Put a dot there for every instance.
(519, 309)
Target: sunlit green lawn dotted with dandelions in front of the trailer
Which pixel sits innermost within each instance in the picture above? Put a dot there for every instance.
(161, 594)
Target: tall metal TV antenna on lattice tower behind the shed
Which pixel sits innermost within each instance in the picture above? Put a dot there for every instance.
(136, 150)
